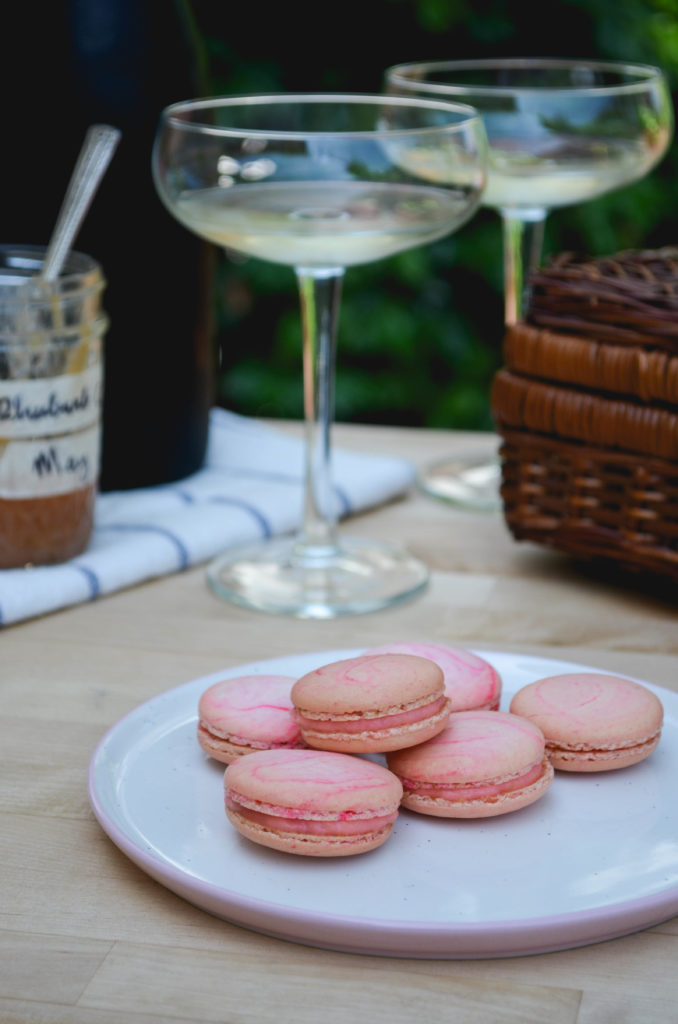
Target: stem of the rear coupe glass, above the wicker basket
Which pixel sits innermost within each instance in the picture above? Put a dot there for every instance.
(524, 237)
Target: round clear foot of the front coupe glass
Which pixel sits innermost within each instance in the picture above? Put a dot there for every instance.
(280, 578)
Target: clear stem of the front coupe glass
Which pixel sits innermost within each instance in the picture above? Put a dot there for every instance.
(320, 292)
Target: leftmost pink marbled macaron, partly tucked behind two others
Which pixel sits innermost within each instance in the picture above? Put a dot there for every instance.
(245, 714)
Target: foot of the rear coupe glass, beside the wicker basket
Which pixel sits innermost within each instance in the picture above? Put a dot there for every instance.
(470, 483)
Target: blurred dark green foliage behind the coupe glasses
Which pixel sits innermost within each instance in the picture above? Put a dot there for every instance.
(420, 334)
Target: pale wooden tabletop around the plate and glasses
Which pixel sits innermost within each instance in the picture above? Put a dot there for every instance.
(89, 937)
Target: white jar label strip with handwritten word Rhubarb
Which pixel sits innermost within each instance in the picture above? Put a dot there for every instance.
(51, 406)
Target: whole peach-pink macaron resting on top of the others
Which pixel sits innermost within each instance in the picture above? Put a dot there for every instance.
(371, 704)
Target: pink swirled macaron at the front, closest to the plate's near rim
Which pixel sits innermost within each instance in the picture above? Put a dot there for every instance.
(313, 803)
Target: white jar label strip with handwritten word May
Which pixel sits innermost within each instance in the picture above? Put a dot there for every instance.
(51, 465)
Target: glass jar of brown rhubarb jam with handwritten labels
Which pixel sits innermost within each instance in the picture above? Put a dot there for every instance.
(52, 339)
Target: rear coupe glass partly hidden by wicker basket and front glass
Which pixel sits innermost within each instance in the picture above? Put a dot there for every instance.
(561, 133)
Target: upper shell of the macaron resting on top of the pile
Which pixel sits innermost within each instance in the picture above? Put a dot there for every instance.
(377, 685)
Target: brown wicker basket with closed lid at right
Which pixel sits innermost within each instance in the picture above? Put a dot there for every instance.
(587, 409)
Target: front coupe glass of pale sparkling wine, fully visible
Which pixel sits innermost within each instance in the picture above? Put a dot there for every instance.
(320, 183)
